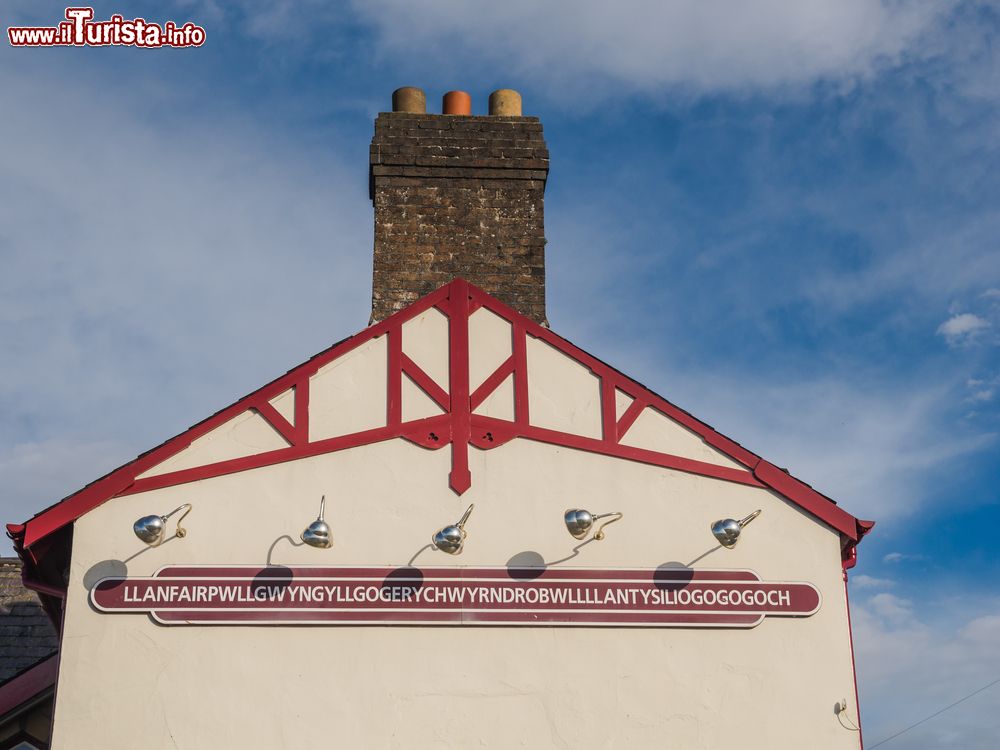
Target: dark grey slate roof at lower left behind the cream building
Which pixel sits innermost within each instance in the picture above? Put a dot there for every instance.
(26, 634)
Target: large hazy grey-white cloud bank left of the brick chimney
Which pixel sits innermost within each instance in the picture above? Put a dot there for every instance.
(156, 267)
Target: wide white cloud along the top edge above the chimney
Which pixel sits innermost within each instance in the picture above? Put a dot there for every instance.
(647, 44)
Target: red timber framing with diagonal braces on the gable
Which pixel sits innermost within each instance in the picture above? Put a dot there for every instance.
(459, 427)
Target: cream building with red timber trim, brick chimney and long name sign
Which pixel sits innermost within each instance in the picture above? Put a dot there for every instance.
(611, 591)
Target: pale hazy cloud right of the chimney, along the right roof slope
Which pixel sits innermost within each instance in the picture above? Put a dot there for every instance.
(876, 442)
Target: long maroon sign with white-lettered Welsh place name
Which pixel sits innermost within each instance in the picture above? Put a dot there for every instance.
(456, 596)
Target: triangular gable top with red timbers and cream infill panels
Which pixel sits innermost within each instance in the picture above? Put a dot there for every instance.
(628, 419)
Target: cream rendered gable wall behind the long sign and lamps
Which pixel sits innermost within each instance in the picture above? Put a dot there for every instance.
(126, 681)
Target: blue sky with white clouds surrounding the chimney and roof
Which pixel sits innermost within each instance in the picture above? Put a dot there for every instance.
(781, 216)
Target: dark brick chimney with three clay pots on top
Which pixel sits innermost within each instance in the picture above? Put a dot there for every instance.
(457, 195)
